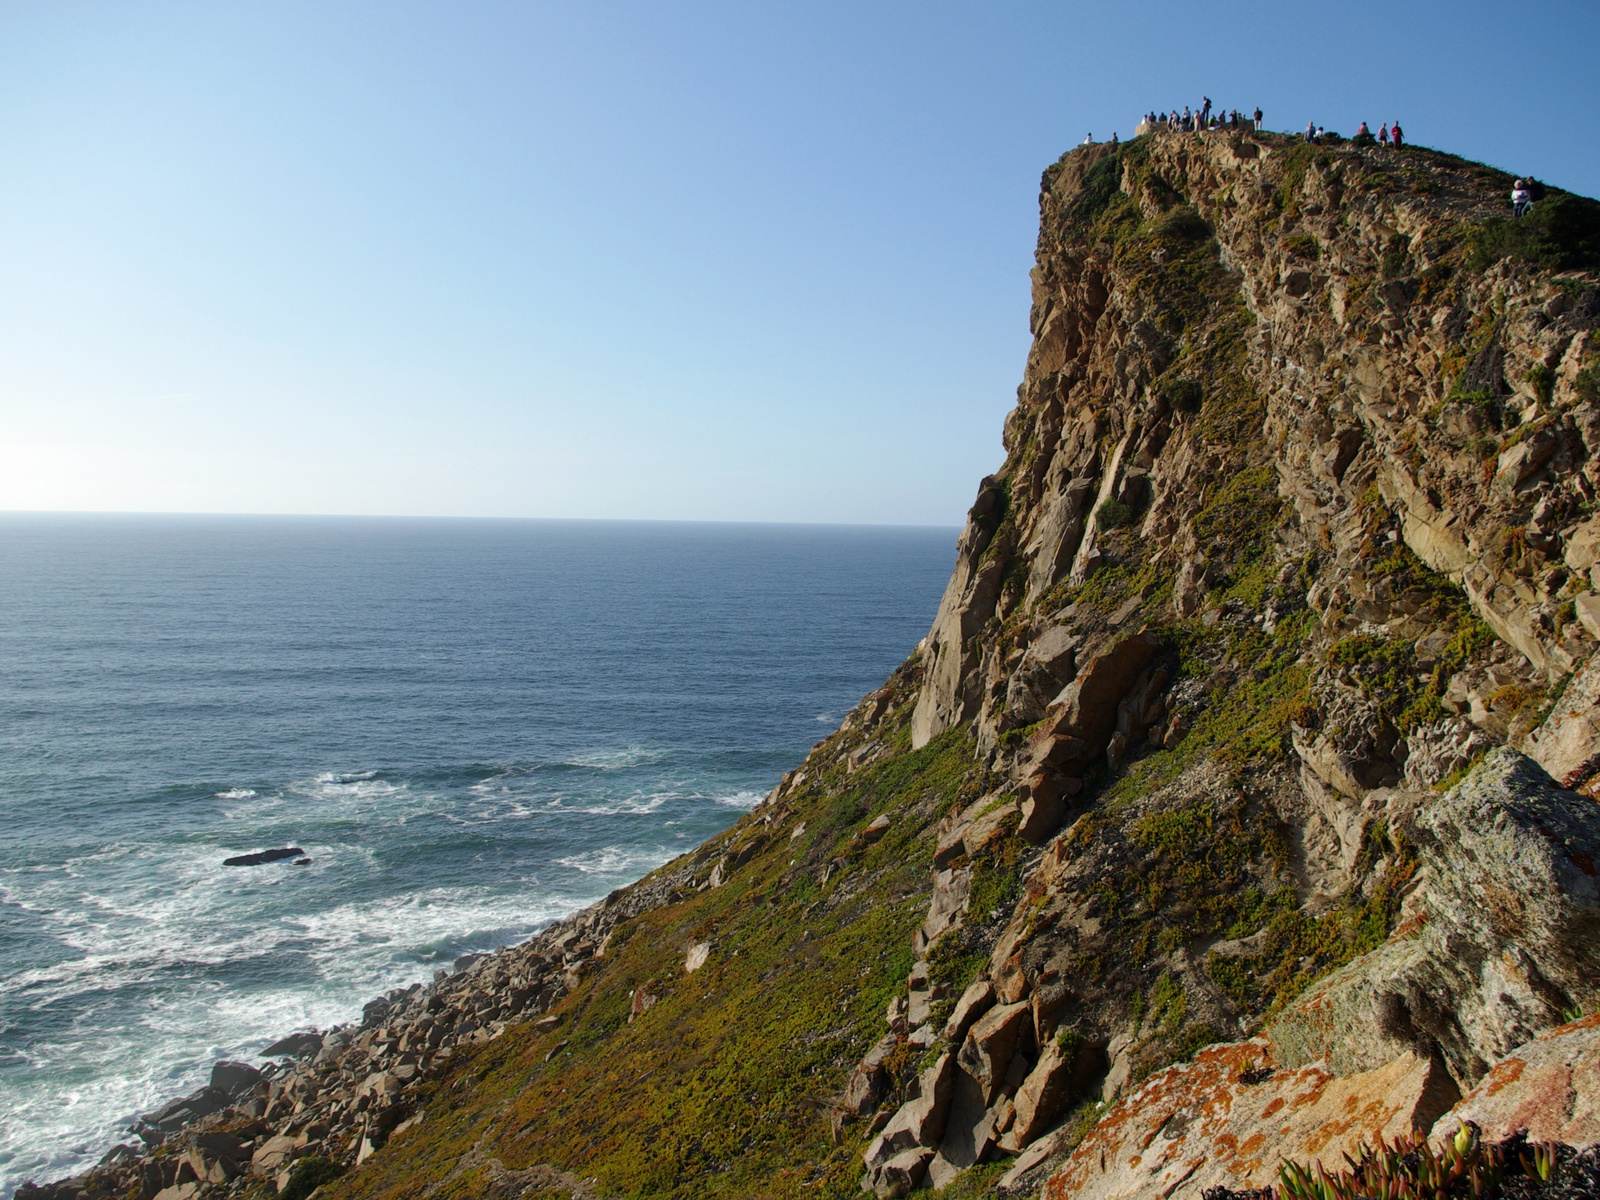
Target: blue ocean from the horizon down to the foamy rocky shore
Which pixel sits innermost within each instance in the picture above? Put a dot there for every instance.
(470, 727)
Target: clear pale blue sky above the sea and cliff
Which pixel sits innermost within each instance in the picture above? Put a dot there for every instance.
(729, 262)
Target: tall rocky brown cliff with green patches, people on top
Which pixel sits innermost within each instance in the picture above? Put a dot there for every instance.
(1239, 807)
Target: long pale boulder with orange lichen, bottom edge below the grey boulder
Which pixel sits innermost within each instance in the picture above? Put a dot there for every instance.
(1230, 1119)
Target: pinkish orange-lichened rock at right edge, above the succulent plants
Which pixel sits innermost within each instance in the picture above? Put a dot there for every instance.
(1550, 1087)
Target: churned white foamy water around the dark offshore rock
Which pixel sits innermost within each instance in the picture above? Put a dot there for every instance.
(167, 962)
